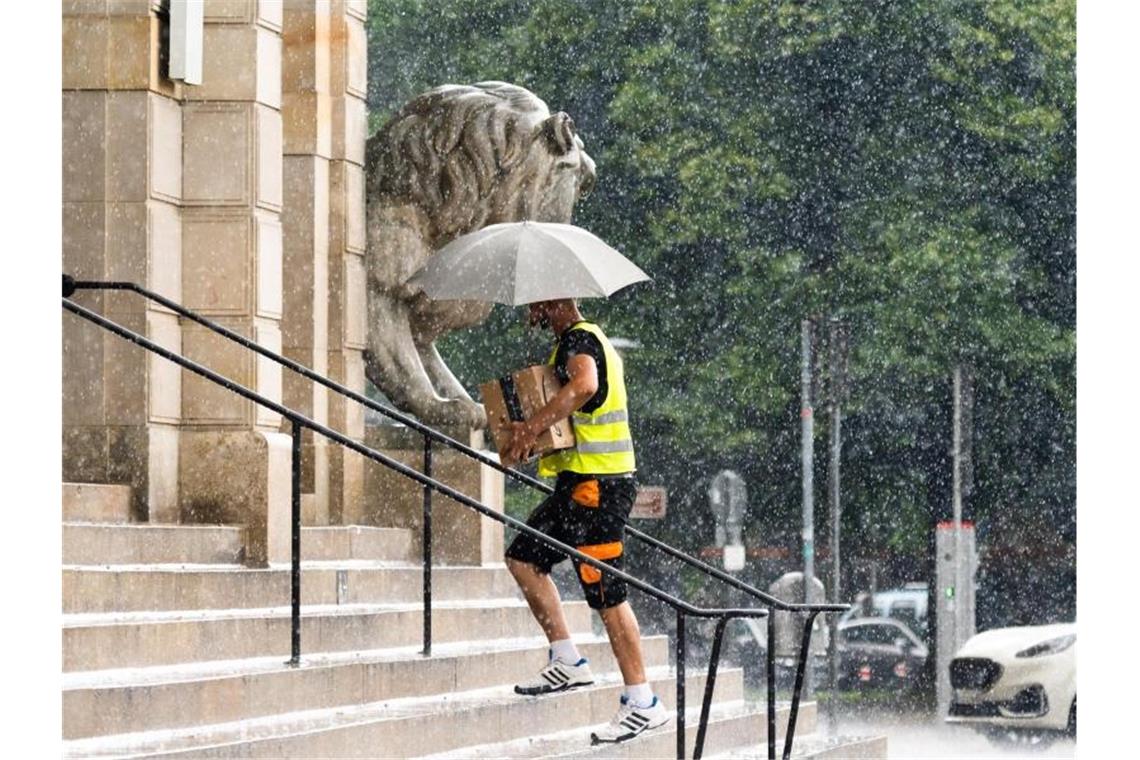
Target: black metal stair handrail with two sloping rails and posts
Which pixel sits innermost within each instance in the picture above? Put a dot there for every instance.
(812, 611)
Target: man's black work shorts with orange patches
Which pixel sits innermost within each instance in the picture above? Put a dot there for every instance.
(589, 513)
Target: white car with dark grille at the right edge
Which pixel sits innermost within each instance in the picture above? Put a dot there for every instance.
(1017, 684)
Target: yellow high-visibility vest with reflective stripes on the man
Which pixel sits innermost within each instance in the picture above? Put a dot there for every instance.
(604, 445)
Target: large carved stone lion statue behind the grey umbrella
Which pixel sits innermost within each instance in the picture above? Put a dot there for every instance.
(451, 162)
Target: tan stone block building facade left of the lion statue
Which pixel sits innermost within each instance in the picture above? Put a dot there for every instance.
(242, 198)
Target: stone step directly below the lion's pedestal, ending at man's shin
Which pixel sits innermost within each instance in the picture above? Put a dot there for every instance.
(129, 589)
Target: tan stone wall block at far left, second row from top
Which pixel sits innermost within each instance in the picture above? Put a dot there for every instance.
(85, 146)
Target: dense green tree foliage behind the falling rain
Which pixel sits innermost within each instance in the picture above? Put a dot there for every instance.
(906, 168)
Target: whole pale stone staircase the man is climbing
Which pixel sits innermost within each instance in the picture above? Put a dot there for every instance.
(173, 649)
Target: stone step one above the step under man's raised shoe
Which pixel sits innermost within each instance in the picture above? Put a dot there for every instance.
(139, 640)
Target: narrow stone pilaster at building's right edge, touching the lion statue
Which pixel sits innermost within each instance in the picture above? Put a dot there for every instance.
(347, 296)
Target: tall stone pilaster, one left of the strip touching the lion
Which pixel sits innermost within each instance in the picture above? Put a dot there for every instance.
(306, 116)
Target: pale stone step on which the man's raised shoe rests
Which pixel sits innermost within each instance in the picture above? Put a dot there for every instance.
(108, 702)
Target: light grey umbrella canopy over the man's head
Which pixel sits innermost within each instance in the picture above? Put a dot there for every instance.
(524, 263)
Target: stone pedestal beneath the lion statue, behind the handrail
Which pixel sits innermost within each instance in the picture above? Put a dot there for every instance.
(461, 536)
